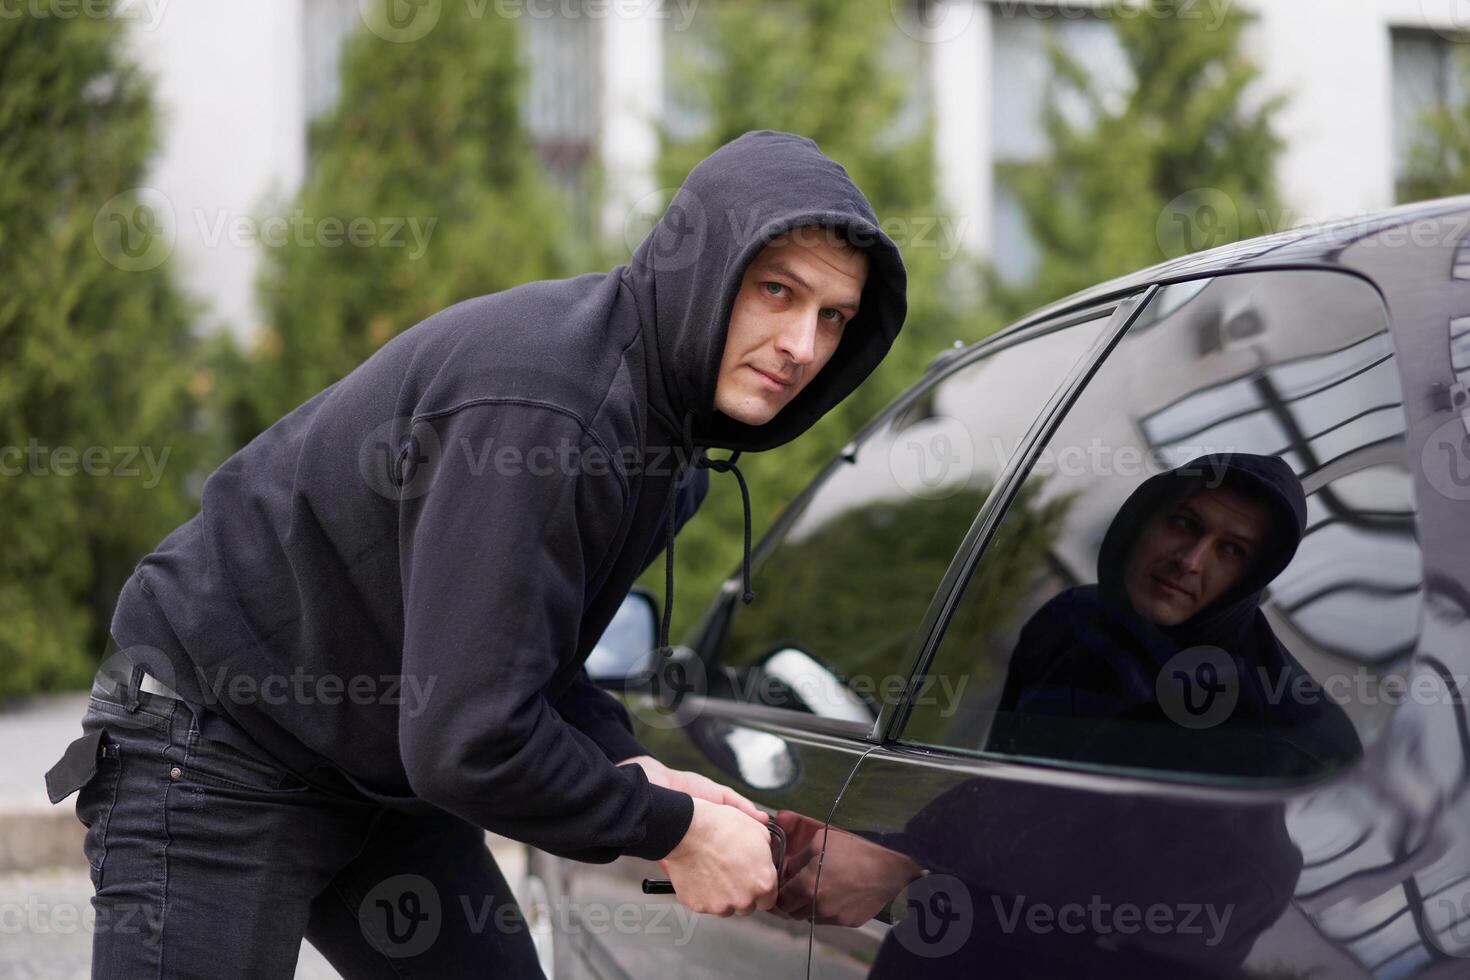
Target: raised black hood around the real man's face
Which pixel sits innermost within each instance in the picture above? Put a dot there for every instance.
(687, 273)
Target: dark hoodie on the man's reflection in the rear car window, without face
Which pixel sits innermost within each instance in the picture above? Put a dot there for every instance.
(1089, 656)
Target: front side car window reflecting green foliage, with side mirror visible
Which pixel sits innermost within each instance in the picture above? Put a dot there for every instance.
(847, 578)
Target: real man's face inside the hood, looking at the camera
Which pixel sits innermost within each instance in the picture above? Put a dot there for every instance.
(793, 303)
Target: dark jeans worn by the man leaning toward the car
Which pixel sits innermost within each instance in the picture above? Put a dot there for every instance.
(211, 863)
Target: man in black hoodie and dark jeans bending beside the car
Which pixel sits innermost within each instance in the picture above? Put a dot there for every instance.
(370, 643)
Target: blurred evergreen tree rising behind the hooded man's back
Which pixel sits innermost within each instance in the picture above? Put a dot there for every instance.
(427, 146)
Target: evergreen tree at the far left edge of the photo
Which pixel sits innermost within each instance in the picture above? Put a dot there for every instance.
(99, 371)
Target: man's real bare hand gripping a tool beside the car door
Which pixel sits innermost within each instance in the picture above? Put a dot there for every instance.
(723, 866)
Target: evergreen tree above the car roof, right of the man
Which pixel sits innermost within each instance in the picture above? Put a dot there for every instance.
(1184, 162)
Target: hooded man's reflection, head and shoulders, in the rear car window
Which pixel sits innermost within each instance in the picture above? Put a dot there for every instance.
(1141, 669)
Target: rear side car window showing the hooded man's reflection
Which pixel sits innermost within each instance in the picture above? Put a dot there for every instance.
(1212, 568)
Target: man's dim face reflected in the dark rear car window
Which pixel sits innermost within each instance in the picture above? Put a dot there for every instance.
(1188, 558)
